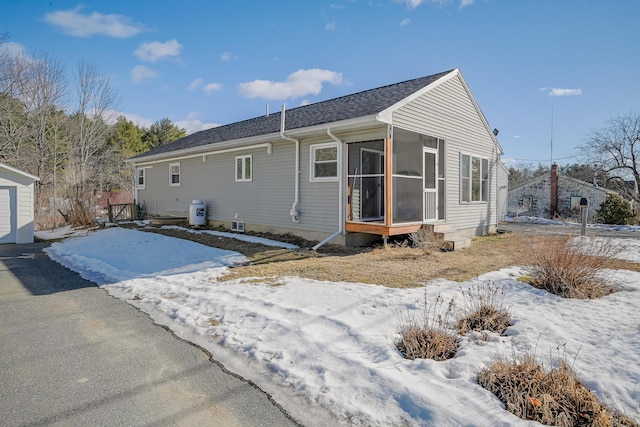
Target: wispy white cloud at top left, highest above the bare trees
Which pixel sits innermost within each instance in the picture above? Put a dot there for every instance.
(75, 23)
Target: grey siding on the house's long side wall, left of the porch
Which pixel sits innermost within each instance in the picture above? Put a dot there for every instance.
(266, 201)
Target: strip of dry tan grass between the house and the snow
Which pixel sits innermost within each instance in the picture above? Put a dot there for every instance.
(397, 266)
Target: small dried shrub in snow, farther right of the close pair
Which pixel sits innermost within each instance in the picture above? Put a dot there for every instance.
(483, 310)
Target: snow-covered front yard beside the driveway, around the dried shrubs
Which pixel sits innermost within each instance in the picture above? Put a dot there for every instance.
(329, 345)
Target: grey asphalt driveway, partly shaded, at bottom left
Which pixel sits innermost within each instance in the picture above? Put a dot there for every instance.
(72, 355)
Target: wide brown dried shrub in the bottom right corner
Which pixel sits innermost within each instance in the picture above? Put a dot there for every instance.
(551, 397)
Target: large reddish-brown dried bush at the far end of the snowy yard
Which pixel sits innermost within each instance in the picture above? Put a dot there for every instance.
(570, 269)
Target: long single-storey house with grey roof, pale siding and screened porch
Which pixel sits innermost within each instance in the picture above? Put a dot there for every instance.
(382, 162)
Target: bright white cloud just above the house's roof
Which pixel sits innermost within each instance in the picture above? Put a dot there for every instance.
(297, 84)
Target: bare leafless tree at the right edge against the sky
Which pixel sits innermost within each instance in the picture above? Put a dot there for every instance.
(615, 149)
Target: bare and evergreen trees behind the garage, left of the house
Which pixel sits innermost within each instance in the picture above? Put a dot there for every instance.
(64, 130)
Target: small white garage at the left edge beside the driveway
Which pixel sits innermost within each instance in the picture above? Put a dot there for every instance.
(16, 205)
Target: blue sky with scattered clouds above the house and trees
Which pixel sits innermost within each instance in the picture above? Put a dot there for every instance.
(202, 63)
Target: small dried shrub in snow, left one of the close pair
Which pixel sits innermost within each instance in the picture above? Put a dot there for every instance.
(429, 334)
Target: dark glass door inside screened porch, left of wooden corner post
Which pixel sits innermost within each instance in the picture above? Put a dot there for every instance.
(372, 196)
